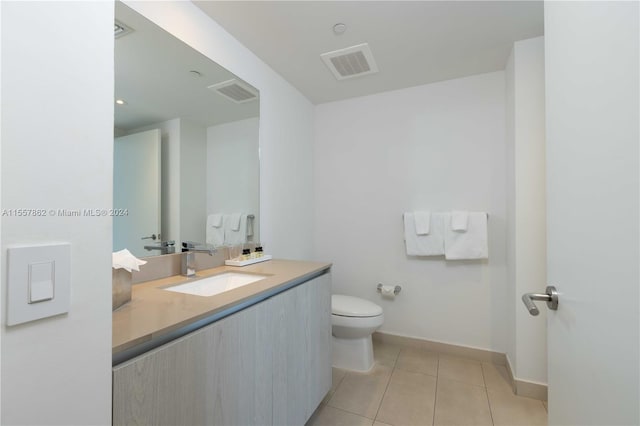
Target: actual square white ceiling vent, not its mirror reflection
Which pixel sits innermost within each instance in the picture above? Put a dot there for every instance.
(353, 61)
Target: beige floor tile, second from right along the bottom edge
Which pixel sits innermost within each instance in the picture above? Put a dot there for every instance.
(460, 403)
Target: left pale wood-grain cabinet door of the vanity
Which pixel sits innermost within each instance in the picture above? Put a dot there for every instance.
(219, 375)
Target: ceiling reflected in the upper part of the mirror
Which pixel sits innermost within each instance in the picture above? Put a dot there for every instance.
(152, 73)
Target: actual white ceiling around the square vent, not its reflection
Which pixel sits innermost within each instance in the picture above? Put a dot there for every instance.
(413, 42)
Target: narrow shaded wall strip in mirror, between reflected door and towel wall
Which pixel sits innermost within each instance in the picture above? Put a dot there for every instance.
(193, 175)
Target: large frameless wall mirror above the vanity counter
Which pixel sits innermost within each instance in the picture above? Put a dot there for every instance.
(186, 163)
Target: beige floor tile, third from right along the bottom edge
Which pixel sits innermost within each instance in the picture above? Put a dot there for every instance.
(409, 399)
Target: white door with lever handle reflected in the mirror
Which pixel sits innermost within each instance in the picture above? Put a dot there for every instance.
(136, 192)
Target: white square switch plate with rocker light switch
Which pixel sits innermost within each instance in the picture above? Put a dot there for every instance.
(39, 281)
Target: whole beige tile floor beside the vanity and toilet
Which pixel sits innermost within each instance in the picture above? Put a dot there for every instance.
(411, 387)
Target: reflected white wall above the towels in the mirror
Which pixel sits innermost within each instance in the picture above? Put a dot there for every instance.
(233, 169)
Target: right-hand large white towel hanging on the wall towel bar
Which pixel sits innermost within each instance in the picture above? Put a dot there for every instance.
(472, 244)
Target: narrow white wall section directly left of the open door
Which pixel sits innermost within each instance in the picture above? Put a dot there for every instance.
(527, 199)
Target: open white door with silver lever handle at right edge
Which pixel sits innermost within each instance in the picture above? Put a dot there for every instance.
(591, 60)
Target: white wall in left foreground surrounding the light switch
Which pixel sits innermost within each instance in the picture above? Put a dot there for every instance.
(57, 151)
